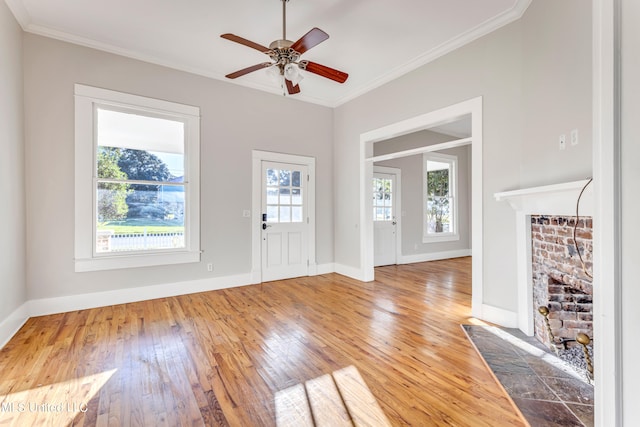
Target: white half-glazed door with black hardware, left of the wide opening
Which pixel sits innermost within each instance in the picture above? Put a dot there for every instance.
(284, 221)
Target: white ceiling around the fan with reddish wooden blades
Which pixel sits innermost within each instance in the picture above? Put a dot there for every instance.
(374, 41)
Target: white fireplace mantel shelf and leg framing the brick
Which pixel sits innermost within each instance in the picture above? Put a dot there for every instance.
(557, 199)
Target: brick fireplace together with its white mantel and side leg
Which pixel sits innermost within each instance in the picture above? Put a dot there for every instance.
(553, 209)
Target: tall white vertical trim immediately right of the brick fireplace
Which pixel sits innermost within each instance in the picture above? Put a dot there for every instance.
(607, 293)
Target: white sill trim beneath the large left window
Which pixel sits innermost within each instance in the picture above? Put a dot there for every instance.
(134, 261)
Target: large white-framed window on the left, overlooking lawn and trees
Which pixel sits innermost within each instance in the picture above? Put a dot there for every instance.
(137, 181)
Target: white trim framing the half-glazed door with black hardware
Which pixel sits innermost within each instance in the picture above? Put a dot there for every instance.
(258, 157)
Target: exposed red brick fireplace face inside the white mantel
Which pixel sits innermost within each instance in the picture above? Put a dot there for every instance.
(559, 281)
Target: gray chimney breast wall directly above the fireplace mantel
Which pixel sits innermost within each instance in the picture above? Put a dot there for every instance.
(556, 82)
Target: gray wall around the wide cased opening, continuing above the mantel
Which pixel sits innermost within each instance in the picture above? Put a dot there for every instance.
(491, 67)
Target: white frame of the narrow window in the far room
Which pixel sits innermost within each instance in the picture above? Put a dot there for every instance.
(453, 235)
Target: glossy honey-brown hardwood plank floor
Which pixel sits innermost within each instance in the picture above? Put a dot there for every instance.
(218, 358)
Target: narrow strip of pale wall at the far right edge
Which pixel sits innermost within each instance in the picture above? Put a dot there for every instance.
(630, 182)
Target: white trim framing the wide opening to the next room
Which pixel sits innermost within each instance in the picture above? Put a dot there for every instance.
(426, 121)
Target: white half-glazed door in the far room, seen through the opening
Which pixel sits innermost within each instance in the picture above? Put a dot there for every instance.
(384, 219)
